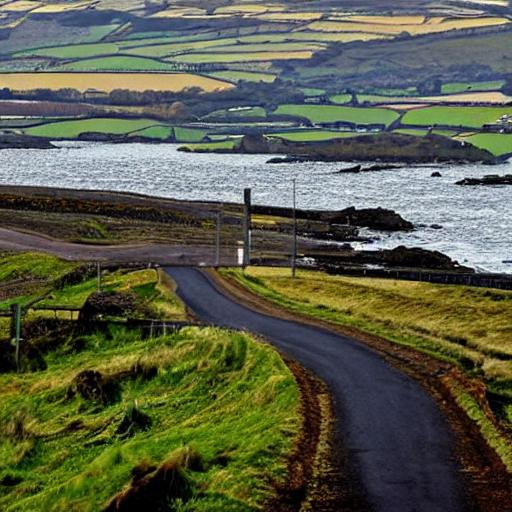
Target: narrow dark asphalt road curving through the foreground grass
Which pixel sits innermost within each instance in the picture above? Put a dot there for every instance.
(398, 439)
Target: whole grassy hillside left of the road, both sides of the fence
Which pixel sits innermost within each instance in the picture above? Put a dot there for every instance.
(201, 419)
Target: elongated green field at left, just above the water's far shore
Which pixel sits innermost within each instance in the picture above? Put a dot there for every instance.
(72, 129)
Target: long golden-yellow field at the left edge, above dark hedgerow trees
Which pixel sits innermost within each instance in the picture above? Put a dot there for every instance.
(107, 82)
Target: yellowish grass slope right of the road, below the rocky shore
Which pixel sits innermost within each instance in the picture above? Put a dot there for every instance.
(466, 325)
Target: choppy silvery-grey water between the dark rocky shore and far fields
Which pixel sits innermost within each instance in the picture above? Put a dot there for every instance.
(477, 221)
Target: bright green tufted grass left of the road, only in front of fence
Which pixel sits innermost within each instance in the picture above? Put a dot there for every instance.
(227, 397)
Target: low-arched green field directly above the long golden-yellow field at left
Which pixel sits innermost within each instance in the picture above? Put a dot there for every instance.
(118, 63)
